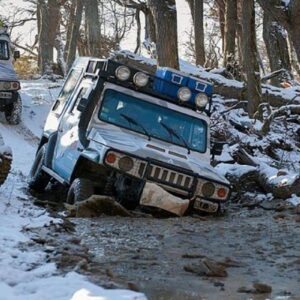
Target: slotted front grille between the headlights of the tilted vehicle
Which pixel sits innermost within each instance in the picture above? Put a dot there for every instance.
(169, 177)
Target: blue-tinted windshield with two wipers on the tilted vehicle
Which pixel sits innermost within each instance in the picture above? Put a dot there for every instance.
(153, 120)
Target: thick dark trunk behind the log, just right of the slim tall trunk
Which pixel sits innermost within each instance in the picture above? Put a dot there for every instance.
(277, 46)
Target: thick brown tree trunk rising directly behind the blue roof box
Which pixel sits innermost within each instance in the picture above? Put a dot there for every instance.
(165, 19)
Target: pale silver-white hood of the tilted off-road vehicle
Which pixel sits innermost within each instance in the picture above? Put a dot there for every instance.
(139, 145)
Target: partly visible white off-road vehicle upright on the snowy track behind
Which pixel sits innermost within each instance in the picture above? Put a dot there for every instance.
(10, 100)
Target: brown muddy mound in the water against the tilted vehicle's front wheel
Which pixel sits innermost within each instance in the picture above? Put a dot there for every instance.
(95, 206)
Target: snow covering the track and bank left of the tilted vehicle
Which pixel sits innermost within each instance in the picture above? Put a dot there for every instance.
(25, 275)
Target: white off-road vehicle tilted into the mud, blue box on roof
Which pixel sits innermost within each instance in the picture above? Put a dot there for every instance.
(114, 128)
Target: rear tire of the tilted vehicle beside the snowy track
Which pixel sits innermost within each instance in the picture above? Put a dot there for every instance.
(38, 179)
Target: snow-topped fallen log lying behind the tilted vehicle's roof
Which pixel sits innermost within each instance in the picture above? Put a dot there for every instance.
(227, 88)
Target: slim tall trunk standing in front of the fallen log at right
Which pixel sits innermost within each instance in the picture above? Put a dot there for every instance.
(250, 57)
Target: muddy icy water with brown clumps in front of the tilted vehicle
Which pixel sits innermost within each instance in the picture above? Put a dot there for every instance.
(247, 253)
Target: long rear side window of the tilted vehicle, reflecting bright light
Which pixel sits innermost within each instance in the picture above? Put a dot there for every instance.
(67, 91)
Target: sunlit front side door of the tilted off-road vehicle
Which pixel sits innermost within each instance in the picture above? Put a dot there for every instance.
(67, 148)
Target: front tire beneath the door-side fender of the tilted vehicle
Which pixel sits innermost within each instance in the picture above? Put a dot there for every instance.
(80, 190)
